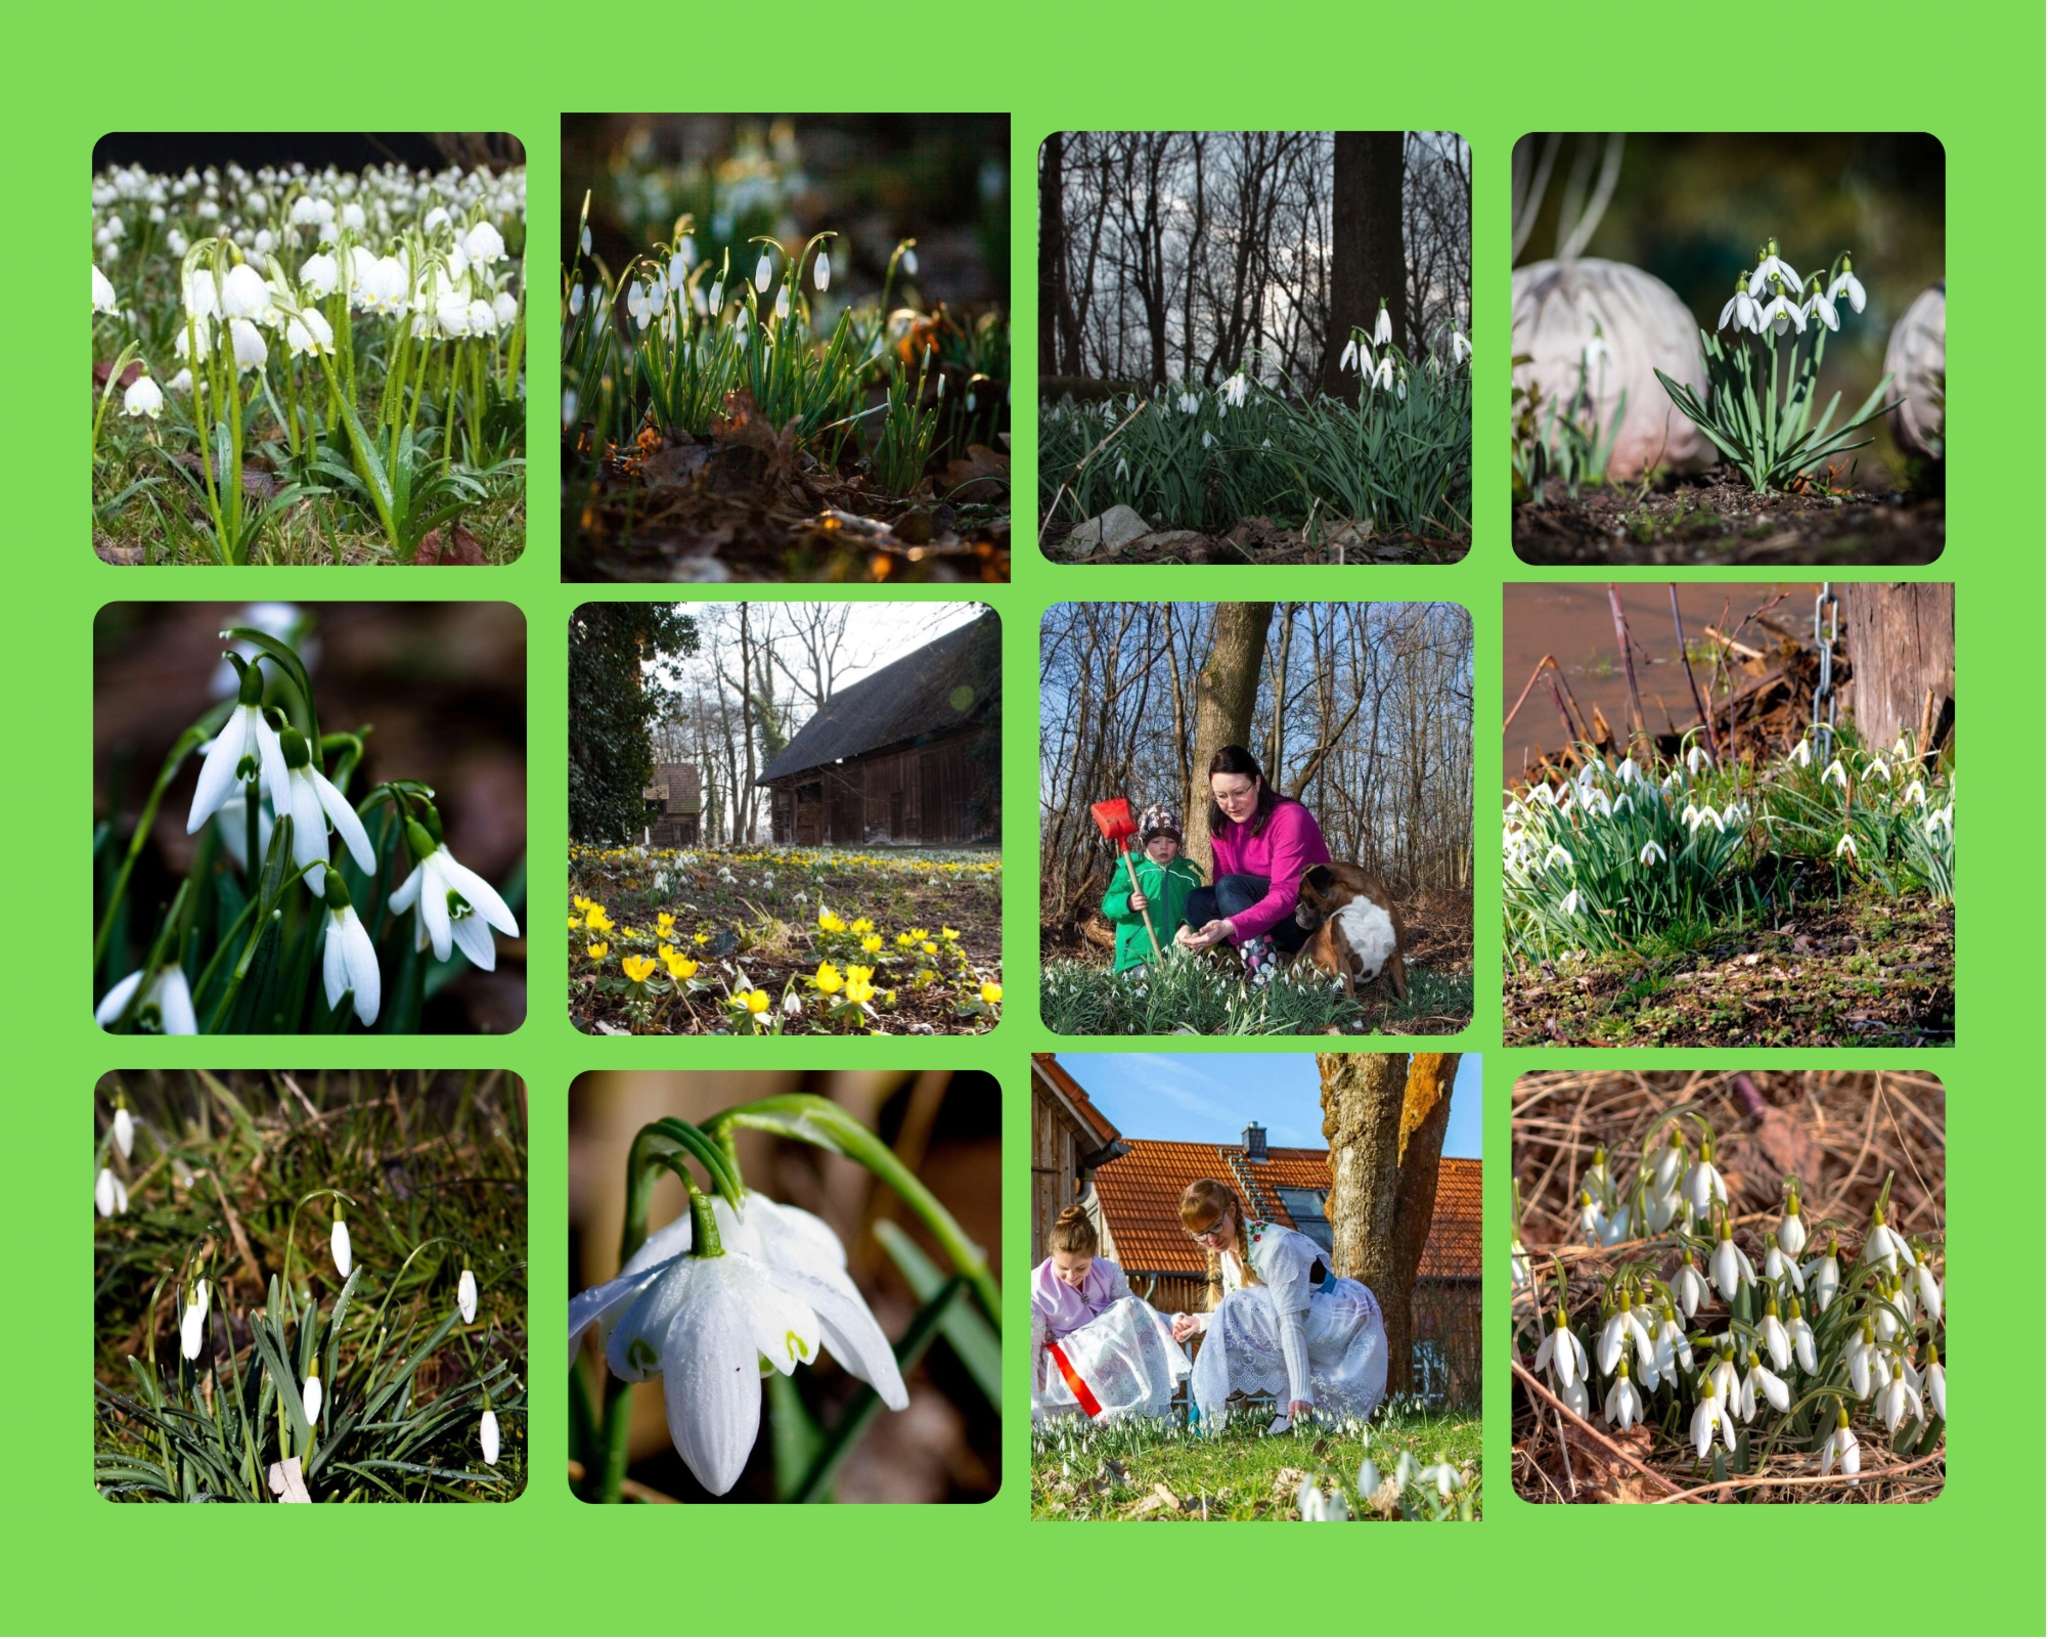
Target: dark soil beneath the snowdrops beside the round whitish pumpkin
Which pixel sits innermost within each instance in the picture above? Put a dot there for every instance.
(1719, 519)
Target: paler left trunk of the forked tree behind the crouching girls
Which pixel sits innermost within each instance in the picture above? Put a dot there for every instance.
(1363, 1103)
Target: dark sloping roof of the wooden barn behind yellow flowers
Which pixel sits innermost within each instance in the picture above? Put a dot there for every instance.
(931, 691)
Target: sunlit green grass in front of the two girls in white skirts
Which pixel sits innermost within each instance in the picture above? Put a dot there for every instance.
(1148, 1470)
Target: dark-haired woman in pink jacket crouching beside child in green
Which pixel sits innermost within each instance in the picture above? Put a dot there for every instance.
(1263, 847)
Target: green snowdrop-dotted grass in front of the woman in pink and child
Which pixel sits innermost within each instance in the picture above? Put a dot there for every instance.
(1193, 997)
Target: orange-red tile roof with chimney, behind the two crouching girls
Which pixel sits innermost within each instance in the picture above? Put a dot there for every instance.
(1142, 1204)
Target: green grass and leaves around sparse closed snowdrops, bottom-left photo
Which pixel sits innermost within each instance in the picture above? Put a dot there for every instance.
(234, 1181)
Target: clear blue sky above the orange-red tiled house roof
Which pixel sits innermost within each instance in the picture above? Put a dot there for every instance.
(1209, 1097)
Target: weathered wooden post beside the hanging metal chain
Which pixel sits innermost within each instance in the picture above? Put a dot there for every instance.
(1902, 644)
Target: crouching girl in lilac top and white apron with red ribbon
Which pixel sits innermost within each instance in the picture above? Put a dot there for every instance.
(1095, 1345)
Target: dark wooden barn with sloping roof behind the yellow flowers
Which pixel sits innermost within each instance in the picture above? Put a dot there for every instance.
(910, 755)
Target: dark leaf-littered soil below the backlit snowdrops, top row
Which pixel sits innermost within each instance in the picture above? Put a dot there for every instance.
(751, 503)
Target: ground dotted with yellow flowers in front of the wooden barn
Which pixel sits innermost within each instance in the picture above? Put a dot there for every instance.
(783, 941)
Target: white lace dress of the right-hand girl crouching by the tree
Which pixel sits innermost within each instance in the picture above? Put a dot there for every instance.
(1291, 1337)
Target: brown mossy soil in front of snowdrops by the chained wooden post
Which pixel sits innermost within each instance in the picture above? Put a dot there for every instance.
(1852, 974)
